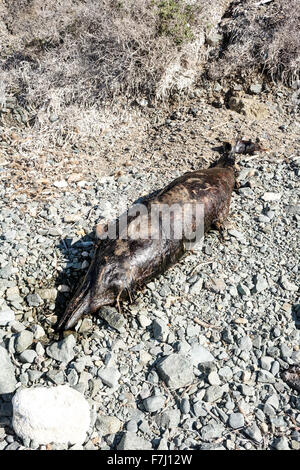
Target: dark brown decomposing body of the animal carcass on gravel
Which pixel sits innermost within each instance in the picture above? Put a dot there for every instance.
(121, 266)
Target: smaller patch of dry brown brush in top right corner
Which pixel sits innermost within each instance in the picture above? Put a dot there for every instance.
(261, 38)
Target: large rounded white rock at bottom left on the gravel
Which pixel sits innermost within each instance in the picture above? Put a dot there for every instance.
(51, 415)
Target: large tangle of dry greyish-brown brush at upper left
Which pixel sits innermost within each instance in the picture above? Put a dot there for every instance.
(83, 51)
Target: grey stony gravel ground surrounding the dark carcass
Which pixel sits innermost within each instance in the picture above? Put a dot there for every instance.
(195, 361)
